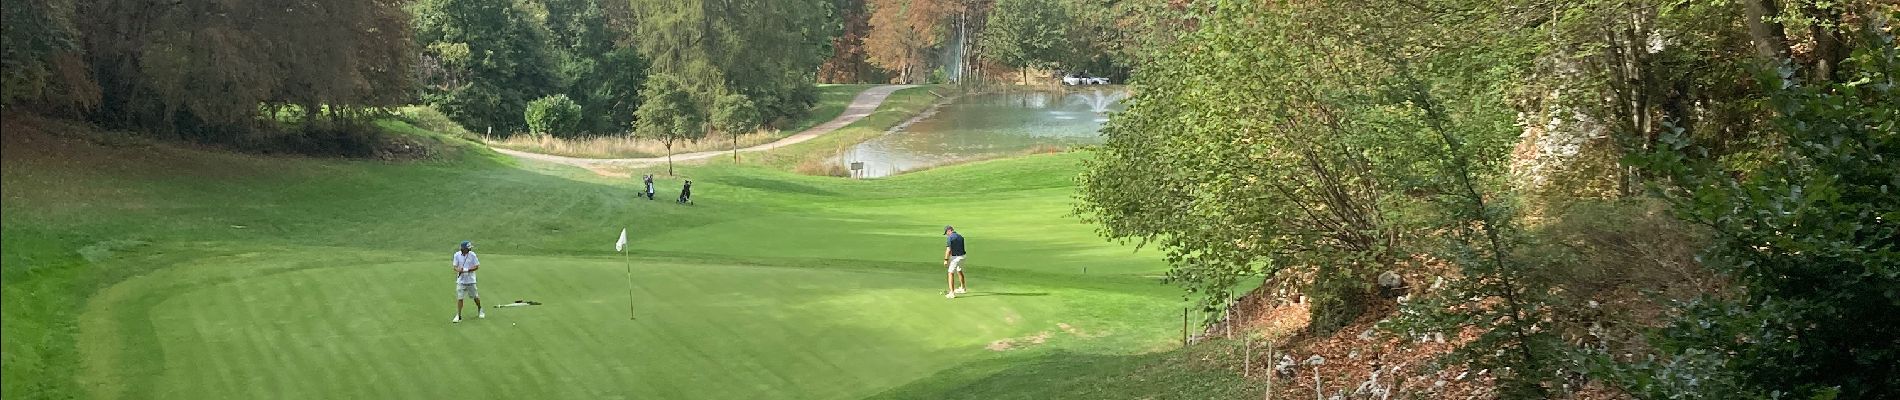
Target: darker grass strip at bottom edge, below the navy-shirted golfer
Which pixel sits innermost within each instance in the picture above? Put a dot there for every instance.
(1192, 373)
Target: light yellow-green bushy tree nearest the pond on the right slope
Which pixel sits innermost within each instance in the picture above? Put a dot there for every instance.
(1261, 149)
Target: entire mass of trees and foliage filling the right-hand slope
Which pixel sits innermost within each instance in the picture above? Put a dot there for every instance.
(1316, 145)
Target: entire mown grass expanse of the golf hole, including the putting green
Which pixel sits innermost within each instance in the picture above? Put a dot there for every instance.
(256, 278)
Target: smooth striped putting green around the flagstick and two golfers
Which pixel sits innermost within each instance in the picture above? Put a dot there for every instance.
(371, 329)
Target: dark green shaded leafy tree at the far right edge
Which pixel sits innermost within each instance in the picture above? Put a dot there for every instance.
(1810, 242)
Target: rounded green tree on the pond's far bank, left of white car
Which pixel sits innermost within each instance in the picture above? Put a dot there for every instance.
(1029, 35)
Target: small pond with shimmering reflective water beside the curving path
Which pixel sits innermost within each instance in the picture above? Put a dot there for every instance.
(993, 124)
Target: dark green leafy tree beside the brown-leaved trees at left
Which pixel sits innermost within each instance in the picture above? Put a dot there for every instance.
(508, 60)
